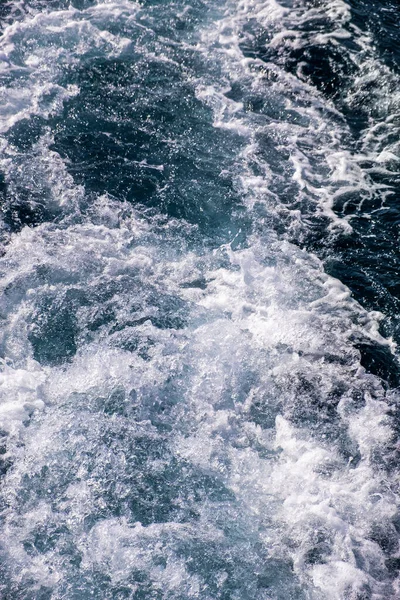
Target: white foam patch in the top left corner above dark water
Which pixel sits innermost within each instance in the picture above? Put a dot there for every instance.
(41, 46)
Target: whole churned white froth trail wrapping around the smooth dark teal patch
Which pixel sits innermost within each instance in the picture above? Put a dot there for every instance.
(257, 390)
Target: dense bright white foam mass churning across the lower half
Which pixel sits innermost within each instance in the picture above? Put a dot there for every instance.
(275, 321)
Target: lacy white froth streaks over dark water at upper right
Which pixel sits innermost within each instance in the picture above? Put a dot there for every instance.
(322, 164)
